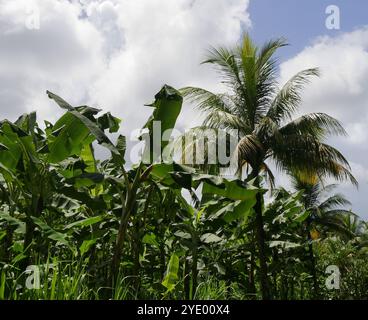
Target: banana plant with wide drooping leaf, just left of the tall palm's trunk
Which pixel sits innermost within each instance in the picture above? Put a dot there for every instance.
(201, 222)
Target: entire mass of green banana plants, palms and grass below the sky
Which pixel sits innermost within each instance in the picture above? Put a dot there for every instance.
(105, 230)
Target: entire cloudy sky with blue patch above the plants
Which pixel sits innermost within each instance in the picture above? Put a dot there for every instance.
(116, 54)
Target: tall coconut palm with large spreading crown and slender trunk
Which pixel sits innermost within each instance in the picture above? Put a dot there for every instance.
(262, 113)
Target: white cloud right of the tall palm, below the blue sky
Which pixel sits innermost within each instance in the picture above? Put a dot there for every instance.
(341, 90)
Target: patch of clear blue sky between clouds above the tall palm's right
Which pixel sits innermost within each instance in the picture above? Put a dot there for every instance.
(301, 21)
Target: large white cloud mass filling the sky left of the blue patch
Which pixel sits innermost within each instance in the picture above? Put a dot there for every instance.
(115, 54)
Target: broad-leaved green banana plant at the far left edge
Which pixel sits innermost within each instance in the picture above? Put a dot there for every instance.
(31, 159)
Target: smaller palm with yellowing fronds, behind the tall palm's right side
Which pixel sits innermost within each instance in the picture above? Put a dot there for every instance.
(327, 213)
